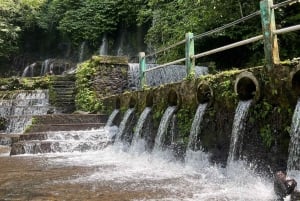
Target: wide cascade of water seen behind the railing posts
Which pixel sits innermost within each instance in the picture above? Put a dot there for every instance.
(168, 74)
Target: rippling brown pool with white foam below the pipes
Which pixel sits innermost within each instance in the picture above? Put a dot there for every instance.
(116, 175)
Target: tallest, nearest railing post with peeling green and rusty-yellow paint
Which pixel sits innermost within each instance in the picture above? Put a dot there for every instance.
(270, 39)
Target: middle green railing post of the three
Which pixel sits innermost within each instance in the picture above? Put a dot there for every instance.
(189, 52)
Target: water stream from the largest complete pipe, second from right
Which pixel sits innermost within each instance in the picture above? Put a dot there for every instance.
(237, 130)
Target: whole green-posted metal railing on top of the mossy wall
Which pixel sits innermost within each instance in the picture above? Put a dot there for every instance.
(269, 36)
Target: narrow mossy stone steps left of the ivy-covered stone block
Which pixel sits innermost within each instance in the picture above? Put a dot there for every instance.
(62, 93)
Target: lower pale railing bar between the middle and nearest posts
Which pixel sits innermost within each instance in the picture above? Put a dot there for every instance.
(226, 47)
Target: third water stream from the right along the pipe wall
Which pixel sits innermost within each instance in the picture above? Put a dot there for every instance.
(195, 129)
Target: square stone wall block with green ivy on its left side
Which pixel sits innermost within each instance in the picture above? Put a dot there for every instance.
(99, 77)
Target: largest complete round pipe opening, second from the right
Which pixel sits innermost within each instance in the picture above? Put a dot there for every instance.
(246, 86)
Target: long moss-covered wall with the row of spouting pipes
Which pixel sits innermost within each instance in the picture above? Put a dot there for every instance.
(267, 129)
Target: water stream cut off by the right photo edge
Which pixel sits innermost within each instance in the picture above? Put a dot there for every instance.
(294, 147)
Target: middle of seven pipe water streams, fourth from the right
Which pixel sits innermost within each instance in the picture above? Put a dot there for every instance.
(163, 127)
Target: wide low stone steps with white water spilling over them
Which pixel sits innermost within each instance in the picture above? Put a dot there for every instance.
(77, 132)
